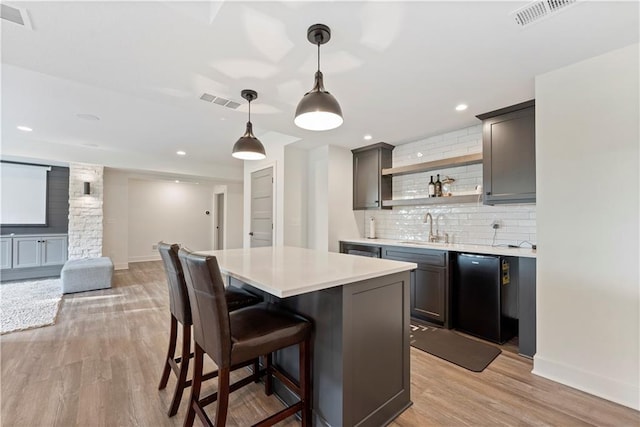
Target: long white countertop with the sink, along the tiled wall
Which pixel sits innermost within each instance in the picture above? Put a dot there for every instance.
(454, 247)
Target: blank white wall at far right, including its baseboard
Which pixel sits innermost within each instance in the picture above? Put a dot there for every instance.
(588, 333)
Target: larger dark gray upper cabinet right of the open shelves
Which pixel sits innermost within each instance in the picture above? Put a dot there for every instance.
(508, 151)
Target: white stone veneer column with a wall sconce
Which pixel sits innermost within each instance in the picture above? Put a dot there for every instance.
(85, 212)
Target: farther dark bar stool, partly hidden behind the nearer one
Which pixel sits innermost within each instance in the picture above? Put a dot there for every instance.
(181, 313)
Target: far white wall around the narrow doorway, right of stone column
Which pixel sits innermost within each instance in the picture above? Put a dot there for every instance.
(140, 210)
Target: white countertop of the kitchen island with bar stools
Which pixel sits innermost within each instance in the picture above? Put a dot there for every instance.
(285, 271)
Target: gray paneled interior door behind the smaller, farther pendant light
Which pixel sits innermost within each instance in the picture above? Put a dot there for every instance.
(262, 208)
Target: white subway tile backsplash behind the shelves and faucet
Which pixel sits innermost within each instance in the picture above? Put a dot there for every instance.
(463, 222)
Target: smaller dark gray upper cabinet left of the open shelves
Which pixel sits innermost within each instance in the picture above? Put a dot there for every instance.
(370, 187)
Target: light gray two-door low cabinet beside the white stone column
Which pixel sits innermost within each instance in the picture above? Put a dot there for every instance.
(39, 251)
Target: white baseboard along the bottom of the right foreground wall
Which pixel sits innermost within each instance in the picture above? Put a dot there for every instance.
(624, 393)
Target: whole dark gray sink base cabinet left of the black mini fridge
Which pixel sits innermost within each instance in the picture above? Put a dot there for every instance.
(429, 294)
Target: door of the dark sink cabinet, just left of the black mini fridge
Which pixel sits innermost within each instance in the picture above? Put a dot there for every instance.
(428, 300)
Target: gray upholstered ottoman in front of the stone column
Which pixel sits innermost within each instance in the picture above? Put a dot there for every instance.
(86, 274)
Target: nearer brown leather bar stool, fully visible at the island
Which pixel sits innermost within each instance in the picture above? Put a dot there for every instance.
(234, 339)
